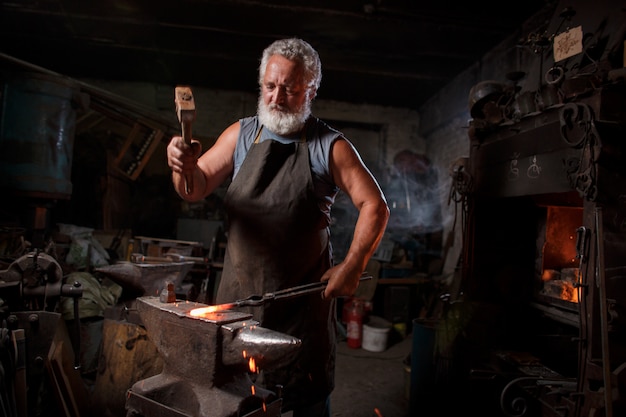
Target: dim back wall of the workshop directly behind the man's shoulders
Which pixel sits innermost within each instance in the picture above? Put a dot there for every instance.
(378, 133)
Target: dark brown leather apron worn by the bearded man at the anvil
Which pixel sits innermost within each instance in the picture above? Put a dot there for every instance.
(278, 238)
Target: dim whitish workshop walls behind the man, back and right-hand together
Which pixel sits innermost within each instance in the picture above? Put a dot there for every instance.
(436, 135)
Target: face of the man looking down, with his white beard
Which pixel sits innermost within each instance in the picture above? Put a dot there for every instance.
(284, 103)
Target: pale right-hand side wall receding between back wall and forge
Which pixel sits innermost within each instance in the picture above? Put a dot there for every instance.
(444, 127)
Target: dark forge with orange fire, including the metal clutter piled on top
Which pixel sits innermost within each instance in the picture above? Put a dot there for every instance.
(544, 272)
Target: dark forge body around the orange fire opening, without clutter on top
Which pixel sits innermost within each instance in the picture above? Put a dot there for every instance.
(547, 277)
